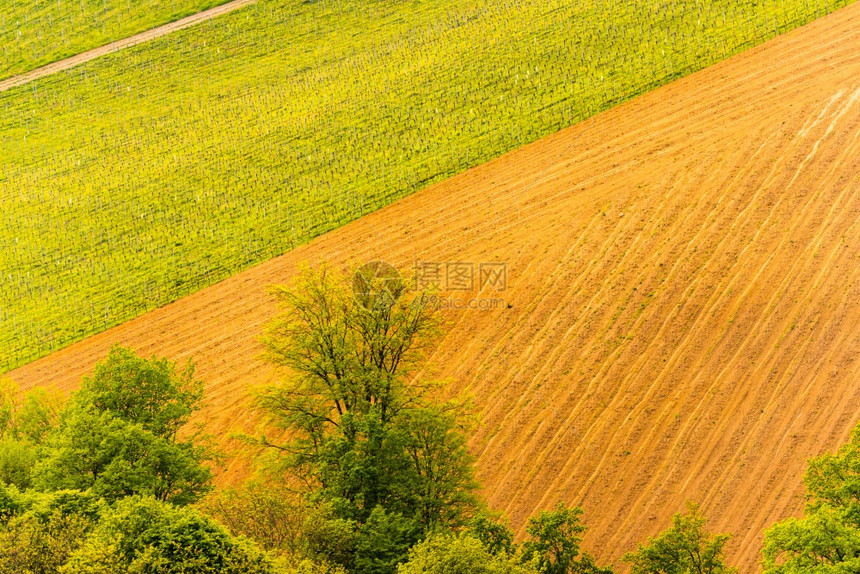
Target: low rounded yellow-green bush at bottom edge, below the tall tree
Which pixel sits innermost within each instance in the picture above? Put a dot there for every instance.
(448, 554)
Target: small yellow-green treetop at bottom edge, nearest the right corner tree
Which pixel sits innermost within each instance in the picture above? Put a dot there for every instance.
(685, 548)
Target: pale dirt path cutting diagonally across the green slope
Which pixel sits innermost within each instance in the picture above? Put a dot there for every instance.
(83, 57)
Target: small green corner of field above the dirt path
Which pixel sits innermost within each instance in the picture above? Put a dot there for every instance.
(37, 32)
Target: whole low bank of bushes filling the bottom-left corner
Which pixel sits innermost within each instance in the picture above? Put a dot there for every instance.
(76, 532)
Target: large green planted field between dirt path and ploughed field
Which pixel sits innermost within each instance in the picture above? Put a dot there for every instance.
(143, 176)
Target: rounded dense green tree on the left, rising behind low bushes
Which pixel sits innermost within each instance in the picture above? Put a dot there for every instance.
(119, 434)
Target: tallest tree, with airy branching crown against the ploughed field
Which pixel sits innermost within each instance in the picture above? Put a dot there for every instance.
(362, 432)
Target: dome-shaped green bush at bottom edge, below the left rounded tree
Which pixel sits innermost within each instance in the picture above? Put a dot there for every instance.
(143, 535)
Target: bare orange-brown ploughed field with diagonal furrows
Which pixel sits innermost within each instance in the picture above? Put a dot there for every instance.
(681, 316)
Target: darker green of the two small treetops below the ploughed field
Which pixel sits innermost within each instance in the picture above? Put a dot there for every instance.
(555, 536)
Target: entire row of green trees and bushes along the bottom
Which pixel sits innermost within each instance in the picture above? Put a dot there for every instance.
(373, 477)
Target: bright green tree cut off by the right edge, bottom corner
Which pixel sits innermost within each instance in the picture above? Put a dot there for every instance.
(827, 539)
